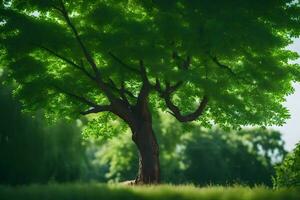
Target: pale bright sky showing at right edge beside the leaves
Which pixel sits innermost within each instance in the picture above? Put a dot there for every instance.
(291, 130)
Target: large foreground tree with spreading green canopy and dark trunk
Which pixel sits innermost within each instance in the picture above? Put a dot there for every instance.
(224, 61)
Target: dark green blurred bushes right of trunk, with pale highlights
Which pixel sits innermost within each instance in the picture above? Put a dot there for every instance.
(219, 157)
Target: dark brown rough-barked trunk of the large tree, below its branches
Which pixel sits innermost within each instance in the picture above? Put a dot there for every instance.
(145, 140)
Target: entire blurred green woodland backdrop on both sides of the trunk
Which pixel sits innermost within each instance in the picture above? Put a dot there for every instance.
(32, 151)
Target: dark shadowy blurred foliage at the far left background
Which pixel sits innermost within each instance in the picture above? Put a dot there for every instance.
(33, 152)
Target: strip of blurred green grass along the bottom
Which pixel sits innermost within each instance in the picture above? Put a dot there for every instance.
(164, 192)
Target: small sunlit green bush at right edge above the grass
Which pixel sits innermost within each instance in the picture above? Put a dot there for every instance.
(288, 172)
